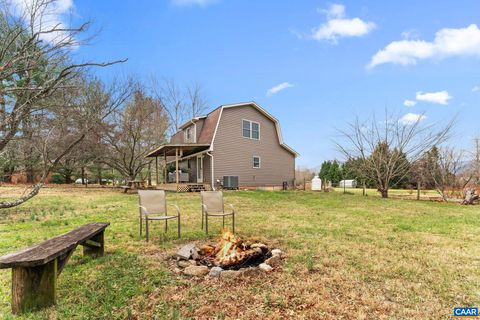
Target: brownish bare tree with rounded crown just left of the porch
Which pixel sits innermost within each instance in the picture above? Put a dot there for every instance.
(131, 133)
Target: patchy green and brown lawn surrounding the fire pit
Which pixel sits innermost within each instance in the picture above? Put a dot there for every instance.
(348, 257)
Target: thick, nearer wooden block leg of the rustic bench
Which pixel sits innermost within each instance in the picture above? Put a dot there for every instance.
(34, 288)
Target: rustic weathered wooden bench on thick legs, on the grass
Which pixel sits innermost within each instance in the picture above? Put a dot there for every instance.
(35, 269)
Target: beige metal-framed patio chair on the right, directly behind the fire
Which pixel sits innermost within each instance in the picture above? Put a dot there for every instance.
(213, 205)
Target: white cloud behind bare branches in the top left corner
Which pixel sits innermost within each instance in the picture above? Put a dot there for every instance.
(53, 16)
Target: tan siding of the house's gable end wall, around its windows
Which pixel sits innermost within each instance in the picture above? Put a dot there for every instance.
(234, 154)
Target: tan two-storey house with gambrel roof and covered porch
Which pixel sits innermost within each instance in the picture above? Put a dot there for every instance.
(241, 140)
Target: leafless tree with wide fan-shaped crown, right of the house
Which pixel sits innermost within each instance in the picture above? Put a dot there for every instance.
(386, 148)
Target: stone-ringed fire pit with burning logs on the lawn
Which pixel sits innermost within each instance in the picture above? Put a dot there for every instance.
(229, 258)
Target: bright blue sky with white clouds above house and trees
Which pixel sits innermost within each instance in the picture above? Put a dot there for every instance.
(326, 56)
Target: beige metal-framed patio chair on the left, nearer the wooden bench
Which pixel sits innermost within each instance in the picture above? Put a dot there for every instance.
(153, 206)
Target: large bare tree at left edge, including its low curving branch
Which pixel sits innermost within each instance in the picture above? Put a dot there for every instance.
(36, 73)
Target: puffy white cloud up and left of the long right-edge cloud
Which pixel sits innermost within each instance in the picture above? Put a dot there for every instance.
(337, 26)
